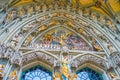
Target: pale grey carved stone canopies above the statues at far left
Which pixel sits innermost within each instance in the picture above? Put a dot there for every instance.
(10, 54)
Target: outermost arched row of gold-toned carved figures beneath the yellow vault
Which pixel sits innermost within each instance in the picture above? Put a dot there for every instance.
(29, 10)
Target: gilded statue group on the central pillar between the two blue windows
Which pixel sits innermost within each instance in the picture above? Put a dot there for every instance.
(65, 71)
